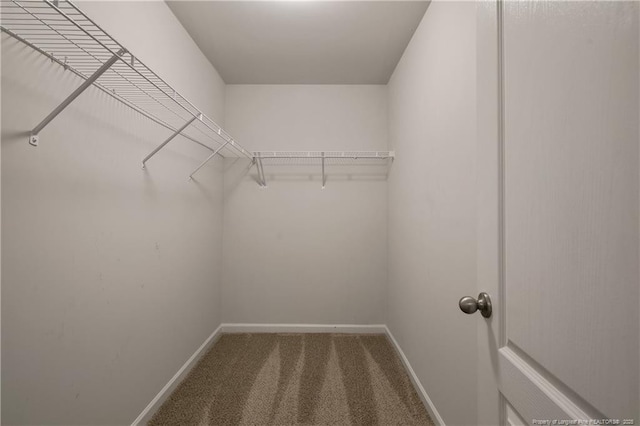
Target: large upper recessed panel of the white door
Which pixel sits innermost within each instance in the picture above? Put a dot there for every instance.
(571, 194)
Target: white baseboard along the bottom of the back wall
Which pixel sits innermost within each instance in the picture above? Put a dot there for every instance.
(304, 328)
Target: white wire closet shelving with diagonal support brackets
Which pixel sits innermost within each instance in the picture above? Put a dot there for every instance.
(67, 36)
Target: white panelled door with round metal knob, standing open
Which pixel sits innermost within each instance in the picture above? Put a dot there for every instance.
(558, 225)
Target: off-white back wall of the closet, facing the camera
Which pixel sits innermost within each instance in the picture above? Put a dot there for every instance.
(294, 253)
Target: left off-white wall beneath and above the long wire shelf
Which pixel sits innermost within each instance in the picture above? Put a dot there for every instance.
(110, 276)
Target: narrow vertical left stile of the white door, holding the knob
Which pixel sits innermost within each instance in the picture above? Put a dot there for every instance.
(490, 206)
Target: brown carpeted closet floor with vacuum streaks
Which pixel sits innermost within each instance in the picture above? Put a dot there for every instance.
(296, 379)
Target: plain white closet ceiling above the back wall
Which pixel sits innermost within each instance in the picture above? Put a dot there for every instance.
(301, 42)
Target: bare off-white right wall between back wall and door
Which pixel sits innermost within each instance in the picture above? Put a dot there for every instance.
(432, 207)
